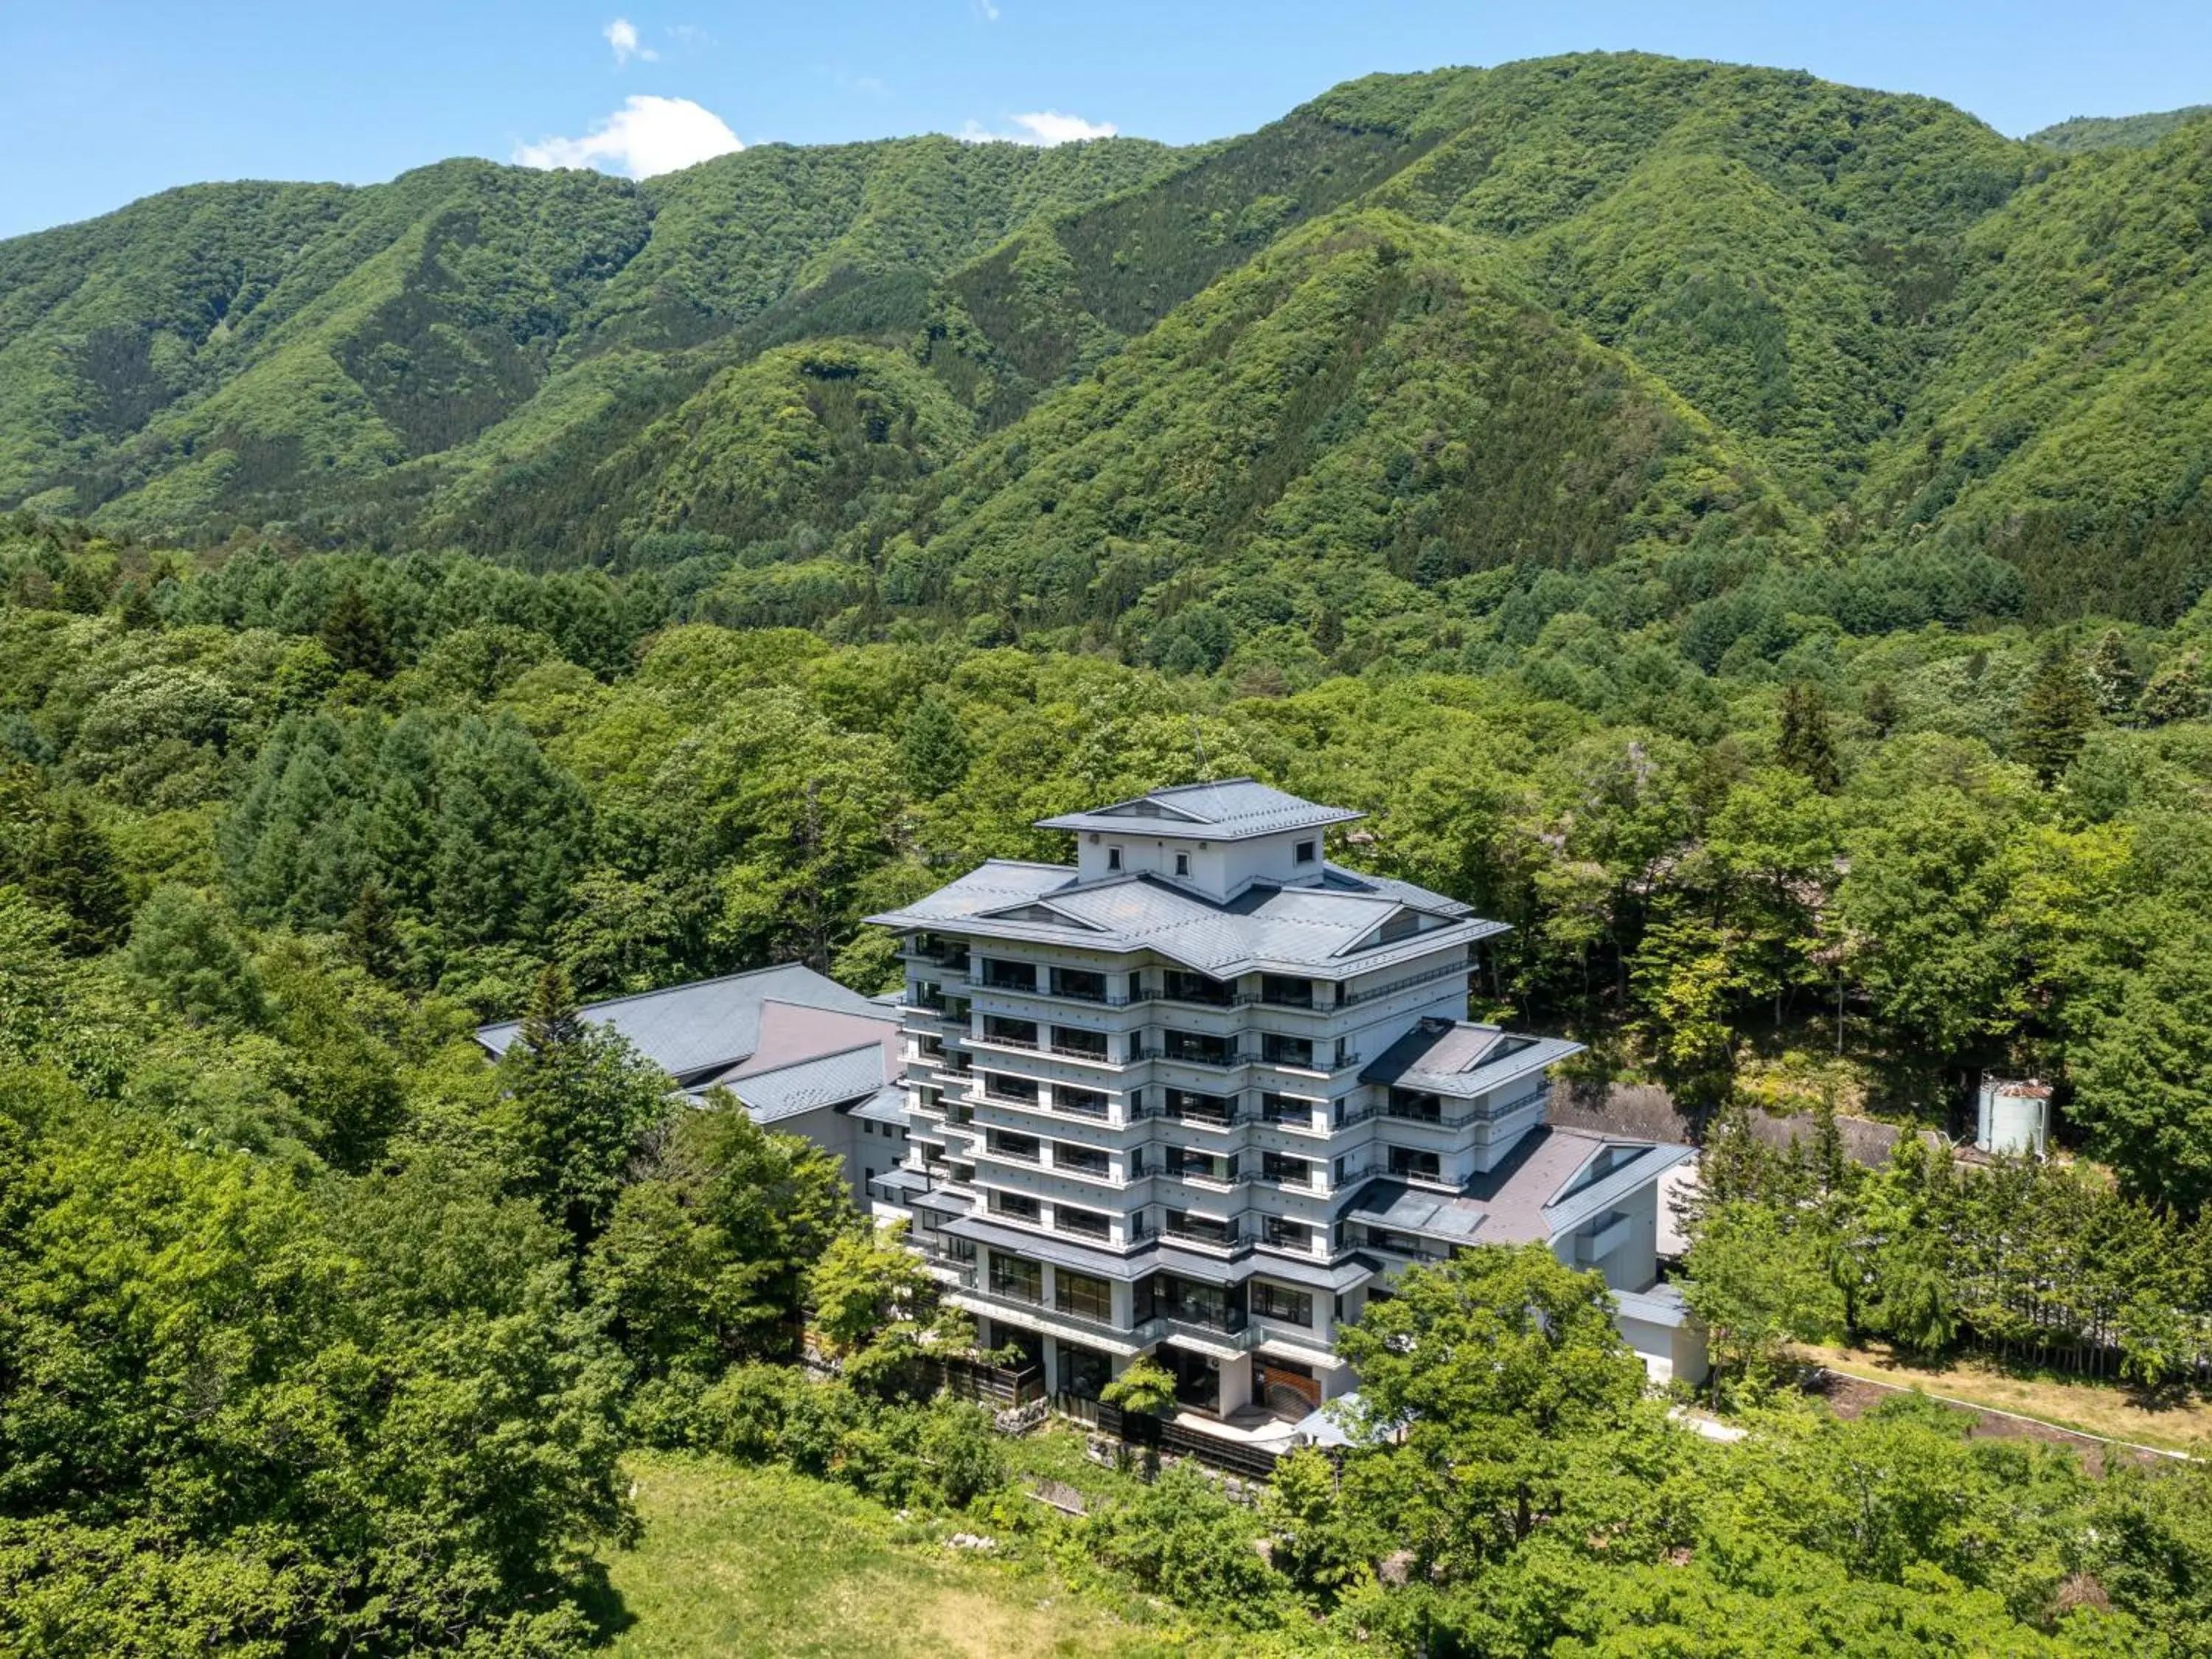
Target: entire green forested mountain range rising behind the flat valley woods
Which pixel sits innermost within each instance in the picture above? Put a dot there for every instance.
(1698, 313)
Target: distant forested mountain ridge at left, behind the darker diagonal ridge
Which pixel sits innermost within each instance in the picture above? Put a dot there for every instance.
(244, 353)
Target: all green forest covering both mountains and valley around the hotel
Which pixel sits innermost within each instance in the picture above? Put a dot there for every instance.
(1742, 532)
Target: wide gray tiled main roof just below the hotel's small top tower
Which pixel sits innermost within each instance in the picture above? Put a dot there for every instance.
(1300, 930)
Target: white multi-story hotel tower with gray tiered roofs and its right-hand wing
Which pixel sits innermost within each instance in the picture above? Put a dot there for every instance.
(1202, 1094)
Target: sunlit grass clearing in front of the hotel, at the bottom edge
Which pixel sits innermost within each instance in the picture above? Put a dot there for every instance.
(769, 1565)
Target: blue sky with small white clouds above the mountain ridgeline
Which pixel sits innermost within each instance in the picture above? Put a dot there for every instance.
(109, 101)
